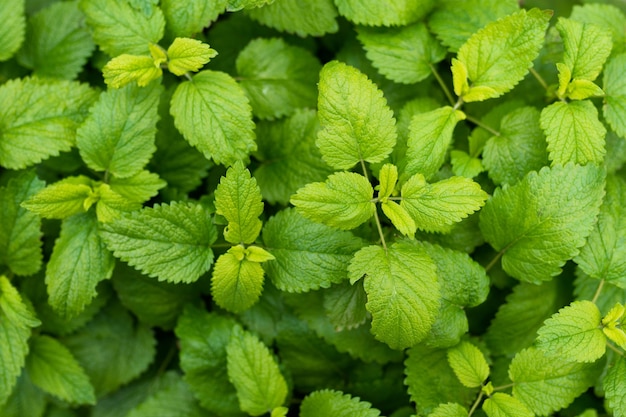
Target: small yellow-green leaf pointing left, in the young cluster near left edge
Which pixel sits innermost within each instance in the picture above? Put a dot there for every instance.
(71, 195)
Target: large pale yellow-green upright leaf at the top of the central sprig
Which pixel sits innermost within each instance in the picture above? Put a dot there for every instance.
(357, 123)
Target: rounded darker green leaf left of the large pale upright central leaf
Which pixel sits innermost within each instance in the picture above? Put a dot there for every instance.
(277, 77)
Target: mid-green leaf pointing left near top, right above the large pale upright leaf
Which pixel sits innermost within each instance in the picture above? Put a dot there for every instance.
(404, 54)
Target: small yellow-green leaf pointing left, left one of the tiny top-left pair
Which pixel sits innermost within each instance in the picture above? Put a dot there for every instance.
(125, 69)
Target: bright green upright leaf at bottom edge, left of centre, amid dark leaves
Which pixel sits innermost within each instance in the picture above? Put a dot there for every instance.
(255, 374)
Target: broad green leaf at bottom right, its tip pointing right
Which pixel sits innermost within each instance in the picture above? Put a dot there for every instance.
(546, 384)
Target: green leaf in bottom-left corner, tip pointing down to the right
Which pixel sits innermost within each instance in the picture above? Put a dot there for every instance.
(52, 368)
